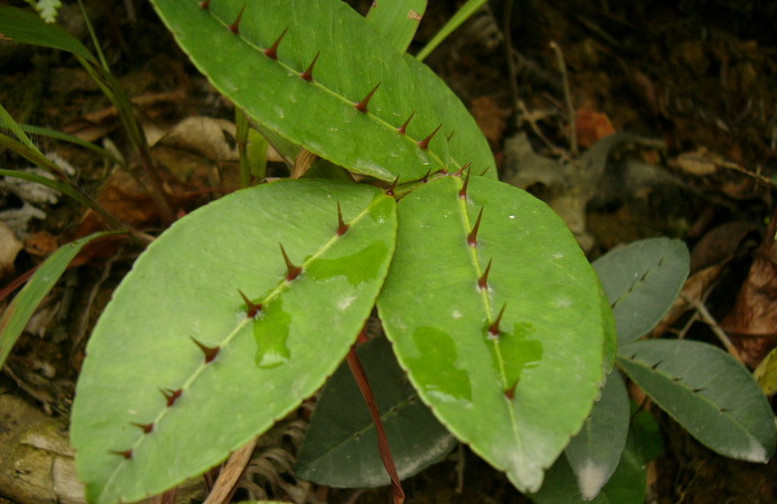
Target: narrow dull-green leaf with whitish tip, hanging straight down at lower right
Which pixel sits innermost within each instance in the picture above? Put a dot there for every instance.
(594, 452)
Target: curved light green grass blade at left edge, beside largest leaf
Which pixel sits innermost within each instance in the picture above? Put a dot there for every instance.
(14, 319)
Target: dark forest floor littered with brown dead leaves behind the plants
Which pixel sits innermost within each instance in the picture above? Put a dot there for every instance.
(678, 98)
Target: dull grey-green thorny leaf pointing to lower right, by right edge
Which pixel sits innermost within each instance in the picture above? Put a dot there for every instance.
(708, 392)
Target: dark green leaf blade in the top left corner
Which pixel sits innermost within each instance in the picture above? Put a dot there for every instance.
(27, 28)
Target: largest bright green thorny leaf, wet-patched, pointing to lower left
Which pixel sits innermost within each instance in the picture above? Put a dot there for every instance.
(185, 291)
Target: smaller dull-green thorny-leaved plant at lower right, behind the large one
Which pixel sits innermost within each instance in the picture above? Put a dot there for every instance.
(704, 389)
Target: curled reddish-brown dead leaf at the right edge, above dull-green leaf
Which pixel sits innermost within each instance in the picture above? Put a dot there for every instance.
(753, 320)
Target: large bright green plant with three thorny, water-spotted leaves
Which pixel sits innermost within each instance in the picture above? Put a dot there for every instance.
(243, 308)
